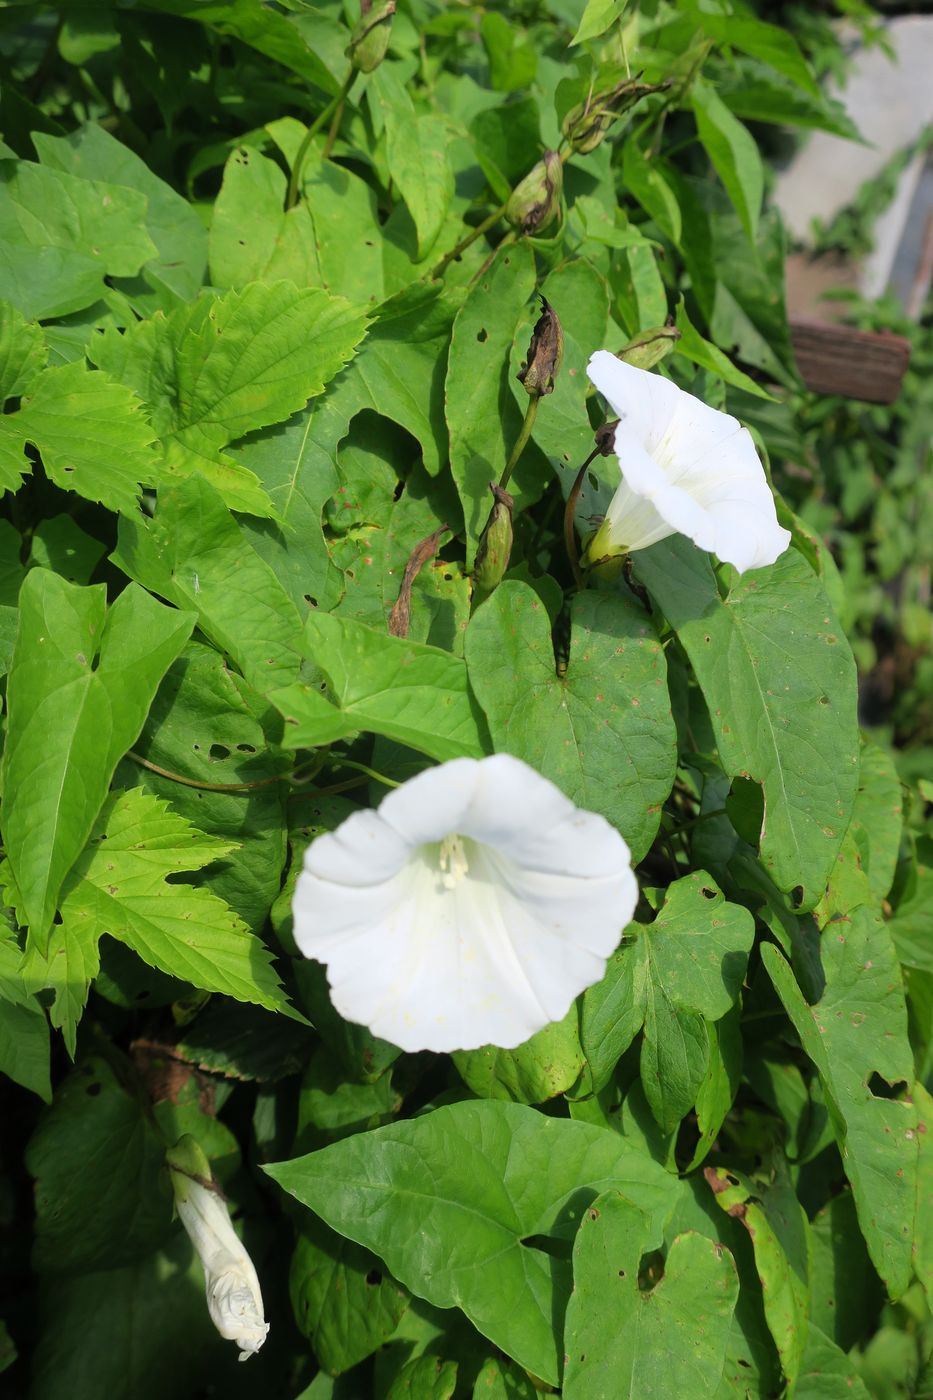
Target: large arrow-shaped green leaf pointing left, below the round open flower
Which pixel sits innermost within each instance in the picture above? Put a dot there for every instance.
(448, 1198)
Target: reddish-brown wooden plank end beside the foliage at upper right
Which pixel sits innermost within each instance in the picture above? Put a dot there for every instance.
(857, 365)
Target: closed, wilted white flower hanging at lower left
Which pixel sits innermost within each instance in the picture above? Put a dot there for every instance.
(235, 1300)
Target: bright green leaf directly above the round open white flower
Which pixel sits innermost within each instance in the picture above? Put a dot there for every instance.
(382, 685)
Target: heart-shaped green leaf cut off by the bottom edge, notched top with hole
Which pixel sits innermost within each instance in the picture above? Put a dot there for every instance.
(620, 1338)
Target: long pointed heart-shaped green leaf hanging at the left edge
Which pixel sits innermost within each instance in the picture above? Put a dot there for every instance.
(82, 681)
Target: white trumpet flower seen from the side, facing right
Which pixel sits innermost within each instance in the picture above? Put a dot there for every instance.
(686, 470)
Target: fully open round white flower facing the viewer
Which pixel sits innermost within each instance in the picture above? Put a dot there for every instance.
(469, 911)
